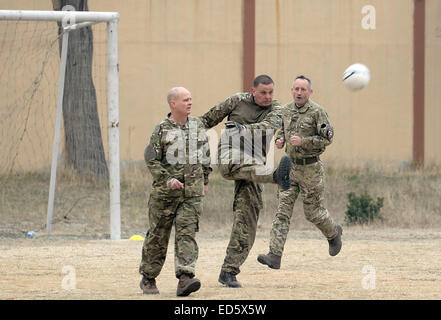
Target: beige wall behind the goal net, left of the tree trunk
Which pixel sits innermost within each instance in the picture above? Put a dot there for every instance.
(29, 68)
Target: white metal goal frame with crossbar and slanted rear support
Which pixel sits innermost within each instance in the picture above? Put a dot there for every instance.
(72, 20)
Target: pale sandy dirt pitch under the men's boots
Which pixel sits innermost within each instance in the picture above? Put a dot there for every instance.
(373, 264)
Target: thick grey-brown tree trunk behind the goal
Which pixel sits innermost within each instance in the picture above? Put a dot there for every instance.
(84, 146)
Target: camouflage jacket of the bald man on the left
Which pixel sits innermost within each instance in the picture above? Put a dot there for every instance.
(178, 152)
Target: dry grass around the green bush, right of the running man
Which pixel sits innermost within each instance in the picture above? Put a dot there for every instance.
(411, 197)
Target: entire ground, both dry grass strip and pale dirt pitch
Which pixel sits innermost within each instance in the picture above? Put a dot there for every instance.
(403, 249)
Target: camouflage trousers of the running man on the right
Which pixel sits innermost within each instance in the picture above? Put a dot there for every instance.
(306, 180)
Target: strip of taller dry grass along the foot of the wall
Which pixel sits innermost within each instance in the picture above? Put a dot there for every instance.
(411, 200)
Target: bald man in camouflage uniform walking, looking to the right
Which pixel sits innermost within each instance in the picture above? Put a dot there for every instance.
(178, 159)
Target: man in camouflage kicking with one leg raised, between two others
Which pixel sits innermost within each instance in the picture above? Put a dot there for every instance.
(245, 108)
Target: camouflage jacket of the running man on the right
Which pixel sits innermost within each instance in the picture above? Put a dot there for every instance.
(310, 122)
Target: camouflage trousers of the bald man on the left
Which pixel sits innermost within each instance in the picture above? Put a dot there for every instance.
(184, 214)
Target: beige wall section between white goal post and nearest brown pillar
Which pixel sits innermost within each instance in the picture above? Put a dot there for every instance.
(195, 44)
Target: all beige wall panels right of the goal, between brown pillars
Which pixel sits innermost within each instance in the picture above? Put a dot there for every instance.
(198, 44)
